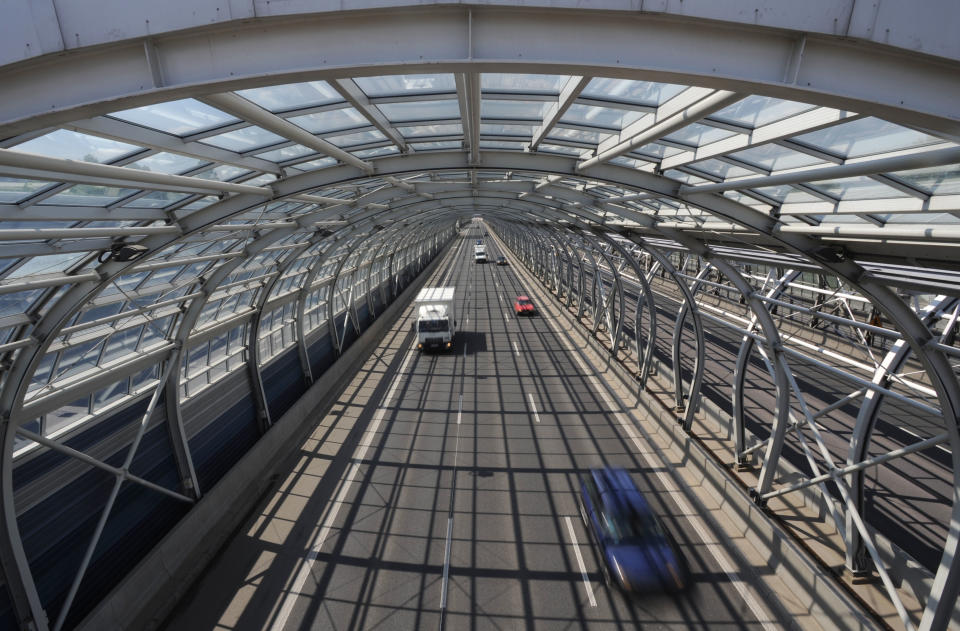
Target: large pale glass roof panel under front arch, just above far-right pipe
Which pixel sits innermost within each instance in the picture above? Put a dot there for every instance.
(864, 137)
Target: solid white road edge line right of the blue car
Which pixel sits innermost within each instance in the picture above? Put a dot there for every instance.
(715, 549)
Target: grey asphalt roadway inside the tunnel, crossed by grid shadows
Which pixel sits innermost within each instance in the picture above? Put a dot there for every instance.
(455, 506)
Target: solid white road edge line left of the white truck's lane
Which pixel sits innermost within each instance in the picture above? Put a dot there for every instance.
(334, 509)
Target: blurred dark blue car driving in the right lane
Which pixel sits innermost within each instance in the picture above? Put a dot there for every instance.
(637, 553)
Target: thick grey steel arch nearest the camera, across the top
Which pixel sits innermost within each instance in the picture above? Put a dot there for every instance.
(307, 46)
